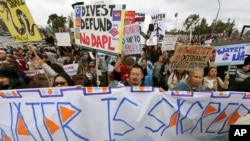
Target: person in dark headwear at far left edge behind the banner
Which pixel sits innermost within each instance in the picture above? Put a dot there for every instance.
(10, 79)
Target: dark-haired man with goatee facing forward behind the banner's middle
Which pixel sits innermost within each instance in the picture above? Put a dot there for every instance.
(136, 77)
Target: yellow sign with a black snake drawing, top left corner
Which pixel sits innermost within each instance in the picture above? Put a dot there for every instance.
(19, 21)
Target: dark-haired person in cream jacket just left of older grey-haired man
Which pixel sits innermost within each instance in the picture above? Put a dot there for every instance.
(175, 77)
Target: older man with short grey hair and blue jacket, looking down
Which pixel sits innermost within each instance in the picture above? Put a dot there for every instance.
(193, 82)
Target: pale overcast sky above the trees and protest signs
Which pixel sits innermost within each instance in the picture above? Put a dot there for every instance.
(237, 10)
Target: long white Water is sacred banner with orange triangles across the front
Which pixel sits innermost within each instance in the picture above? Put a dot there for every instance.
(121, 114)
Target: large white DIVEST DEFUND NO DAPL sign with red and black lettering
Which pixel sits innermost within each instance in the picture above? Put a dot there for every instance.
(100, 27)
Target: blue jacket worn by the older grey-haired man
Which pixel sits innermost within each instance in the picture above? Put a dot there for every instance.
(185, 86)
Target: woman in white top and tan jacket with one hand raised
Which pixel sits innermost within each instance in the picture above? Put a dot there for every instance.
(211, 82)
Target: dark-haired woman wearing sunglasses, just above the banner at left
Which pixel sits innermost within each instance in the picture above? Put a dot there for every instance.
(63, 80)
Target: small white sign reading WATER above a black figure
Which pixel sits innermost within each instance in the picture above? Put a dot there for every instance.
(159, 22)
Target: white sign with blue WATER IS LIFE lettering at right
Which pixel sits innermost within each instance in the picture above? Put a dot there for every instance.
(230, 54)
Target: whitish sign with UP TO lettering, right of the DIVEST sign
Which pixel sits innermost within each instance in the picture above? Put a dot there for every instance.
(131, 39)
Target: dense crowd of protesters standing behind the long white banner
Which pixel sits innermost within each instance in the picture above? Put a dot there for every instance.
(150, 68)
